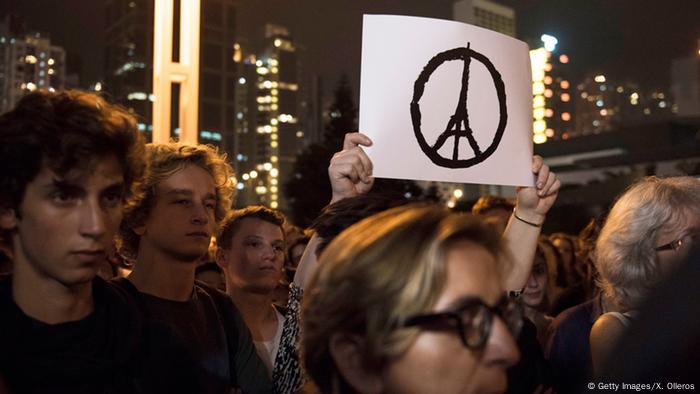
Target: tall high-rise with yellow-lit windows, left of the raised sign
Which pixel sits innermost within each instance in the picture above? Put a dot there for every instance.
(271, 151)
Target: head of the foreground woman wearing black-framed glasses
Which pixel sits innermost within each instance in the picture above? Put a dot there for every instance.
(410, 301)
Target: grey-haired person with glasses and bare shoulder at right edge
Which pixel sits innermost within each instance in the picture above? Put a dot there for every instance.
(649, 231)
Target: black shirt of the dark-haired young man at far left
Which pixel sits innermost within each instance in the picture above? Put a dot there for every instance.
(109, 351)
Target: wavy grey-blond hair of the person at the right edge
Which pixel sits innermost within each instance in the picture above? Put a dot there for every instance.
(625, 258)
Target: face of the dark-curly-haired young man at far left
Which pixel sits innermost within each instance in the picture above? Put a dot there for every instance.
(66, 225)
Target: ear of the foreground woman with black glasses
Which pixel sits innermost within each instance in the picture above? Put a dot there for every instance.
(346, 352)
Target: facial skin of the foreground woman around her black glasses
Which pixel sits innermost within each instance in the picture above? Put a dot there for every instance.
(438, 362)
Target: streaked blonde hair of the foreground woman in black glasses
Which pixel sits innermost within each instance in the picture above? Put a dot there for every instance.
(375, 275)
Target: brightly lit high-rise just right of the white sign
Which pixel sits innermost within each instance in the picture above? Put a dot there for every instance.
(553, 109)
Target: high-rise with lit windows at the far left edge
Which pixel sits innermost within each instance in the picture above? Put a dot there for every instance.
(28, 61)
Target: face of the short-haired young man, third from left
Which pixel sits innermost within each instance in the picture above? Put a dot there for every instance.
(254, 261)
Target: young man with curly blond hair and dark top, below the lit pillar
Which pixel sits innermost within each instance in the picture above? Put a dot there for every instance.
(168, 227)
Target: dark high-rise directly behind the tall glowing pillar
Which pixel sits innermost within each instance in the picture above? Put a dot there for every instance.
(129, 65)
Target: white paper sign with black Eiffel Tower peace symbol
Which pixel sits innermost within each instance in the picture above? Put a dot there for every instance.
(445, 101)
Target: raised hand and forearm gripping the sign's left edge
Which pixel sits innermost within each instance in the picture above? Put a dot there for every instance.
(350, 173)
